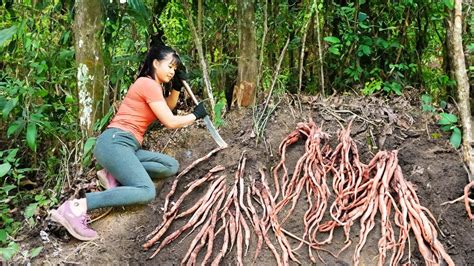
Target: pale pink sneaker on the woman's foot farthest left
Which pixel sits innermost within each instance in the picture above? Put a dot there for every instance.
(74, 221)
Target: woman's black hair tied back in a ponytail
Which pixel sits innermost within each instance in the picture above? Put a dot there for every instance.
(158, 50)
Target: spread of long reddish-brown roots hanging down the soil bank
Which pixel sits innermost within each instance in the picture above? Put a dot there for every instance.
(338, 189)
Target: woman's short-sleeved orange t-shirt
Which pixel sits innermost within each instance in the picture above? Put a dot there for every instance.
(134, 114)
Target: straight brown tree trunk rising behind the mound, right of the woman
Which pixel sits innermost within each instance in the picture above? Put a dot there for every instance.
(244, 91)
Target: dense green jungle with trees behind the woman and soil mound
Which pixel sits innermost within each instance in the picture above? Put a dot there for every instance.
(65, 66)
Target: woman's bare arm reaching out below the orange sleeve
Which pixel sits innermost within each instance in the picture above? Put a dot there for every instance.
(163, 112)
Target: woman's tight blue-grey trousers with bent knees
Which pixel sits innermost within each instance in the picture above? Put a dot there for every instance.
(120, 153)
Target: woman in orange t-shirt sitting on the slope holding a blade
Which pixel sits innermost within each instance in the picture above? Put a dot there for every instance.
(118, 148)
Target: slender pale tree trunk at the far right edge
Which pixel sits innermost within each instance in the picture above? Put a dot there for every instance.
(460, 74)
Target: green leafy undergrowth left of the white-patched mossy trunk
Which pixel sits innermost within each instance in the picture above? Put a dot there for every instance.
(38, 112)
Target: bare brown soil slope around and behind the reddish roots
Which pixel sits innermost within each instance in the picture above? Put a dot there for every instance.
(425, 156)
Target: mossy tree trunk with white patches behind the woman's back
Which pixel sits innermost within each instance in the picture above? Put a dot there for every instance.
(90, 65)
